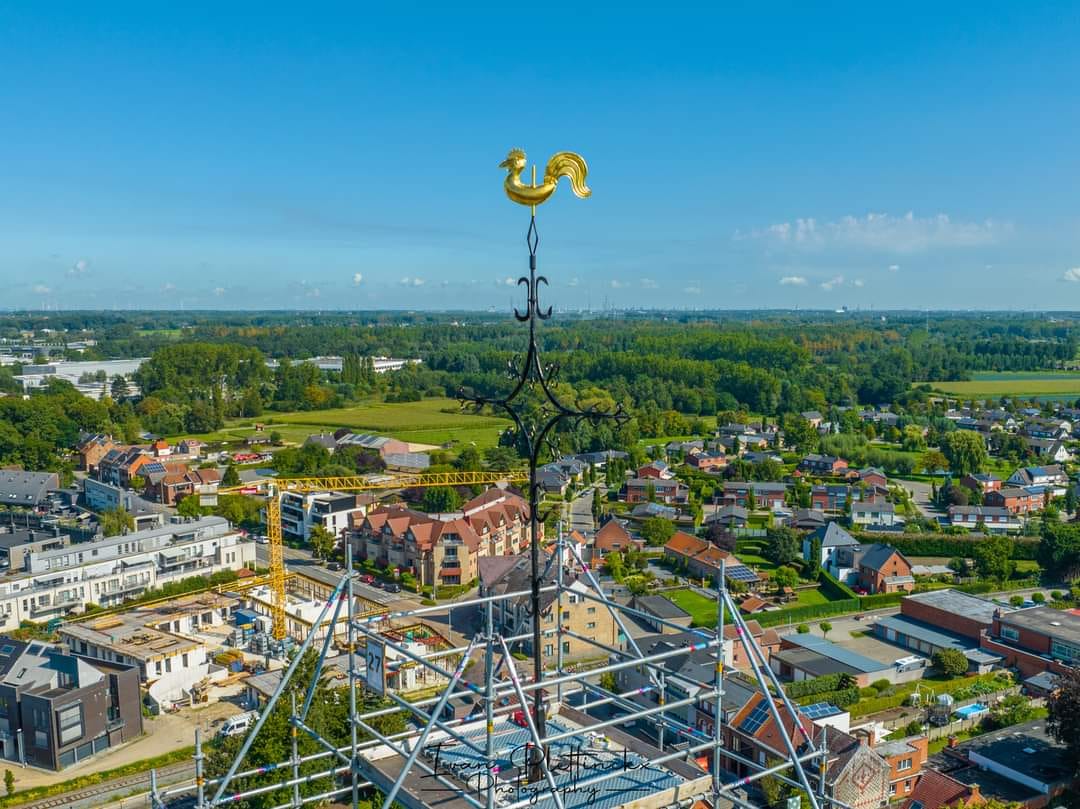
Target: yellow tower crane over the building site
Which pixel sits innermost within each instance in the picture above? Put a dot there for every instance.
(274, 489)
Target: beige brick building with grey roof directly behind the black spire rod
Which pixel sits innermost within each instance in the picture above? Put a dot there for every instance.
(580, 615)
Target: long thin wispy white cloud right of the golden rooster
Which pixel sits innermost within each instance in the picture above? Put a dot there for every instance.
(908, 234)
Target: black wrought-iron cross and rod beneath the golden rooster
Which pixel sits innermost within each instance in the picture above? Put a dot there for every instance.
(534, 437)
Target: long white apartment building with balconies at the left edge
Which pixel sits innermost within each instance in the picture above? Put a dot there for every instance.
(111, 571)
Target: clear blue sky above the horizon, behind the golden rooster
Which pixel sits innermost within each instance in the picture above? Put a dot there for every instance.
(169, 156)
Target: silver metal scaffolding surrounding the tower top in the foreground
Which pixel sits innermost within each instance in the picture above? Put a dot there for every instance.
(501, 695)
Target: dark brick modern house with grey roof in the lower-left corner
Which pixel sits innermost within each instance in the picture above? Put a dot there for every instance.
(61, 709)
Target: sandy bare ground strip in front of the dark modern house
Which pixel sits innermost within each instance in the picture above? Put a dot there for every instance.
(161, 735)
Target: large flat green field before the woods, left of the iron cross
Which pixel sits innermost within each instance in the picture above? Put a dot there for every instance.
(434, 422)
